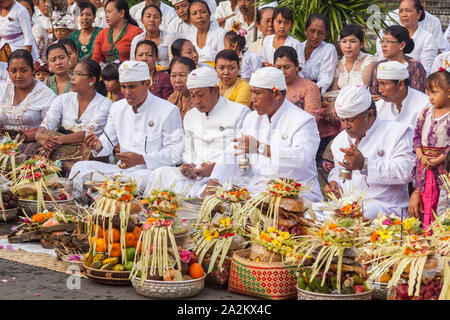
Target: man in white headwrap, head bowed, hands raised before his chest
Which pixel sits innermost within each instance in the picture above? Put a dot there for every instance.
(377, 152)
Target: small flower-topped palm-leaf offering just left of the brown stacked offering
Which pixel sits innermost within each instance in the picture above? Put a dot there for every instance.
(232, 197)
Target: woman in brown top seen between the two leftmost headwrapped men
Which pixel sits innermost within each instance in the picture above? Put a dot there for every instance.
(179, 70)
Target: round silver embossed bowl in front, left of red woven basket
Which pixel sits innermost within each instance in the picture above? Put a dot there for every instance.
(169, 289)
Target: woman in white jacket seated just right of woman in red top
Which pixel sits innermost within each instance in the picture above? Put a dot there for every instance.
(151, 19)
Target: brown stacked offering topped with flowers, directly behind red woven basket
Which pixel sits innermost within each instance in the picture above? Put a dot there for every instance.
(281, 206)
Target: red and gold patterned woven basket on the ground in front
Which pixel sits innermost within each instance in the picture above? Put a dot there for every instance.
(272, 281)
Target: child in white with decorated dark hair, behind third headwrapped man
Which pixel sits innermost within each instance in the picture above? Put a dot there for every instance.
(250, 62)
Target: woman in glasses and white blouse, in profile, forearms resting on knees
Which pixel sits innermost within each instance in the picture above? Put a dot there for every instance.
(75, 113)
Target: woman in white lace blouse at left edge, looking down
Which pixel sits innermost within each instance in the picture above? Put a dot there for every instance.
(24, 100)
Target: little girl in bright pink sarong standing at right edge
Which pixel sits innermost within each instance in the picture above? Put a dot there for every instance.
(431, 143)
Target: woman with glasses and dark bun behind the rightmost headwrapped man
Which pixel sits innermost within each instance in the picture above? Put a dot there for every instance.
(395, 45)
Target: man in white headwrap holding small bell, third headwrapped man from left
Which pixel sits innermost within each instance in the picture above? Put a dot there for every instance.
(280, 140)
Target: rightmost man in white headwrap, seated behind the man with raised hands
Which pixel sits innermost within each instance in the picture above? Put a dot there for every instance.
(399, 102)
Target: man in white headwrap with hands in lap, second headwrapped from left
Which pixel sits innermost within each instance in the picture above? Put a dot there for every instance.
(208, 130)
